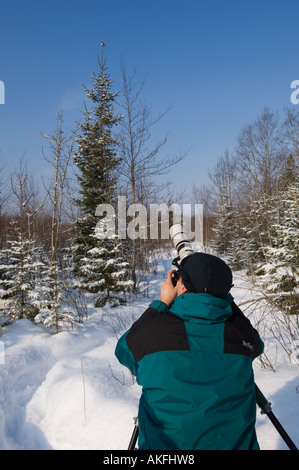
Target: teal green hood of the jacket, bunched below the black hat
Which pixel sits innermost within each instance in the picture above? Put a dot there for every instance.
(202, 308)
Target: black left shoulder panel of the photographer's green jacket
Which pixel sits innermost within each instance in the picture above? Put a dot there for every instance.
(157, 331)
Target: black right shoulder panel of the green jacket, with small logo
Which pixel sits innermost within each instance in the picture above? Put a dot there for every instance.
(240, 337)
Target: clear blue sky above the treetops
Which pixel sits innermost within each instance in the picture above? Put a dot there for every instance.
(217, 62)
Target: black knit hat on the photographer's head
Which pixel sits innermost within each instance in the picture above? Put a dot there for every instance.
(206, 273)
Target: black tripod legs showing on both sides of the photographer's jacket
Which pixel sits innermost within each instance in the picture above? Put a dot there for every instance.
(261, 401)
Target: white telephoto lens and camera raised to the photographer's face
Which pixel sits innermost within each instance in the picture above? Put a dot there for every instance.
(183, 246)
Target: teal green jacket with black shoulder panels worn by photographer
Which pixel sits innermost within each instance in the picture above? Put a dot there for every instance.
(194, 362)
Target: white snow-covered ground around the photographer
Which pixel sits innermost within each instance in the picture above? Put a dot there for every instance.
(67, 391)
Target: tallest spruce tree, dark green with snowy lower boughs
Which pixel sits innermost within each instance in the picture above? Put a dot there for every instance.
(97, 160)
